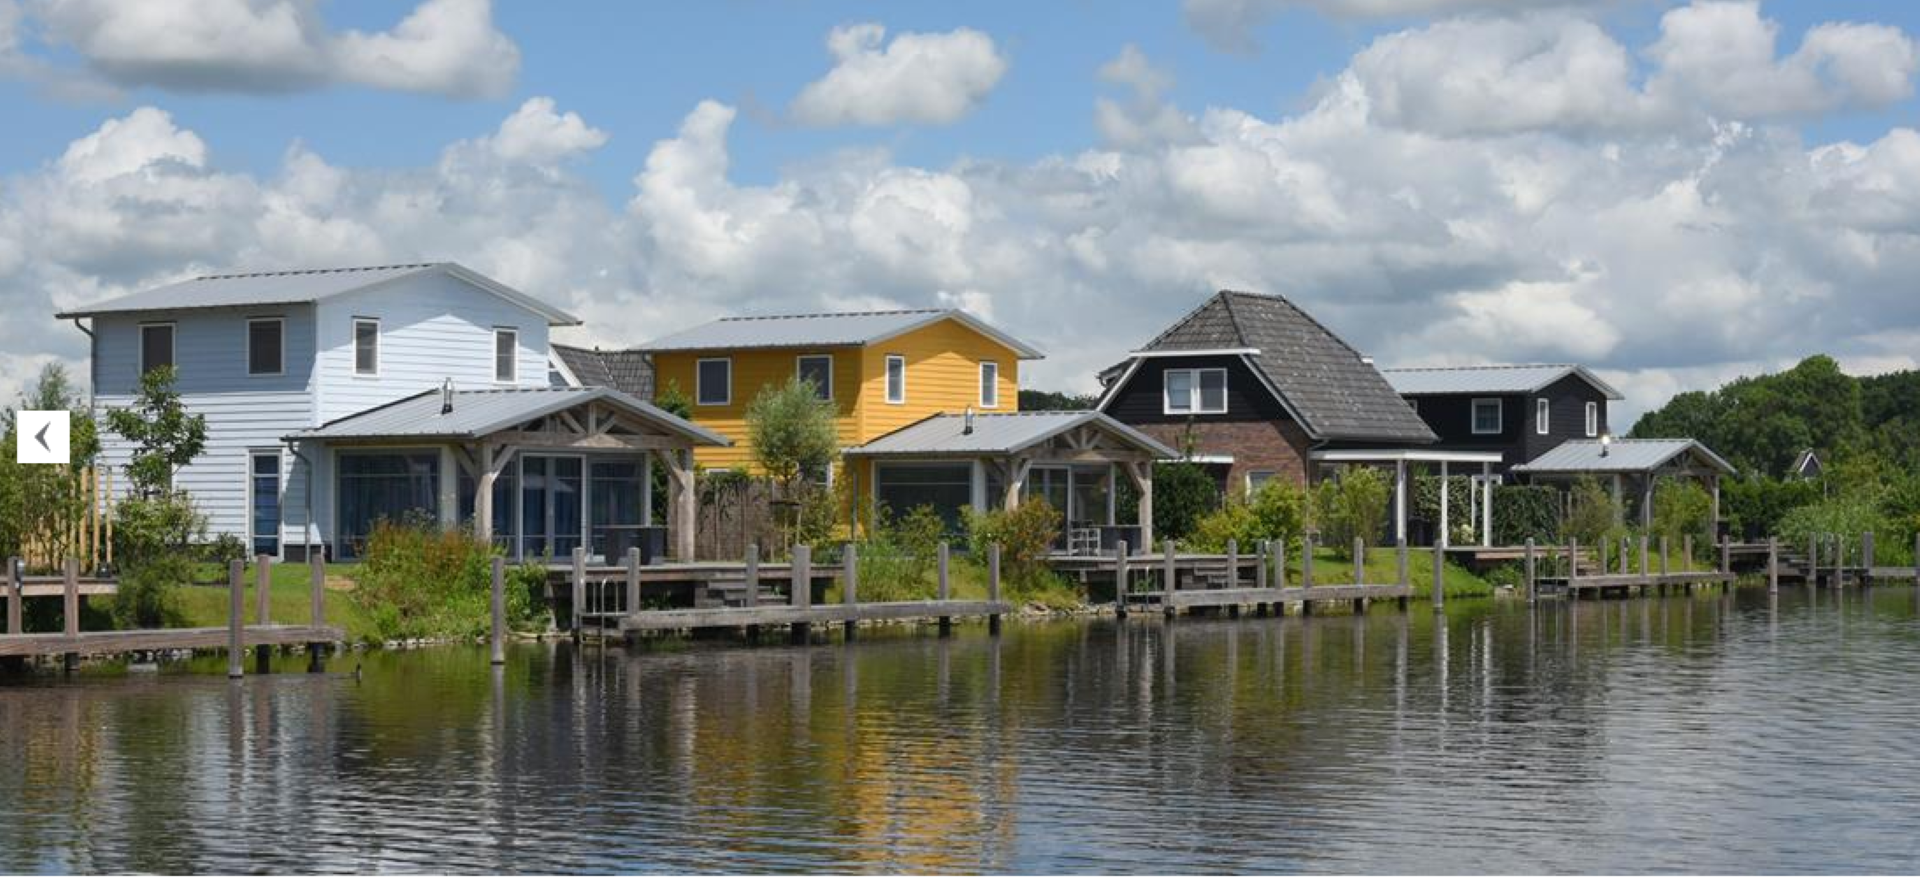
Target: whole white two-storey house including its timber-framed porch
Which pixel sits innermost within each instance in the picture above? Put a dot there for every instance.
(272, 360)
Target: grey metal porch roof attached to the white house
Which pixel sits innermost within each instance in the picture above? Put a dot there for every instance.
(492, 410)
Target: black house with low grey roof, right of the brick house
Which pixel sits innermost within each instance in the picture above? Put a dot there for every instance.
(1522, 412)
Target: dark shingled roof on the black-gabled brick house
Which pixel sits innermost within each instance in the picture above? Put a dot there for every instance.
(1335, 393)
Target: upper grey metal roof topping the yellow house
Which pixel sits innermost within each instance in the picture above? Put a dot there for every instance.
(842, 330)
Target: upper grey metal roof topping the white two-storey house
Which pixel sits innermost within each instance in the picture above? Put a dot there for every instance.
(300, 287)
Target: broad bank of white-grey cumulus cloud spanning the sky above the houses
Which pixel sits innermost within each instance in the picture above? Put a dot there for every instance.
(1668, 255)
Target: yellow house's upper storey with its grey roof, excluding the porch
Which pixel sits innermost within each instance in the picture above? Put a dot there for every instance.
(882, 370)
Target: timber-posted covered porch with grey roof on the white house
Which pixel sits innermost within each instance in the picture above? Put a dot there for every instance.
(539, 472)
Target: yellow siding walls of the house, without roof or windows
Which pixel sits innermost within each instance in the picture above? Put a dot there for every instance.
(942, 378)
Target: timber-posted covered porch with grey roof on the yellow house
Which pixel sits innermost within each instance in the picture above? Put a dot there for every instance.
(999, 460)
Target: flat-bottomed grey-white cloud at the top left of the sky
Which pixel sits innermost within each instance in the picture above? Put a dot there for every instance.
(443, 47)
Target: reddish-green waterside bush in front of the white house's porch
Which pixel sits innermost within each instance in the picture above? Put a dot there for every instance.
(420, 581)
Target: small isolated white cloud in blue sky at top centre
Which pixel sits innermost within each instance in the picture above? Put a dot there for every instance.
(917, 78)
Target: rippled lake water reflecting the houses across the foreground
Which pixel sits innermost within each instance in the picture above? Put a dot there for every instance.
(1669, 735)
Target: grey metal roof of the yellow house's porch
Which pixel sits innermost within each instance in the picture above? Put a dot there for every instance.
(999, 433)
